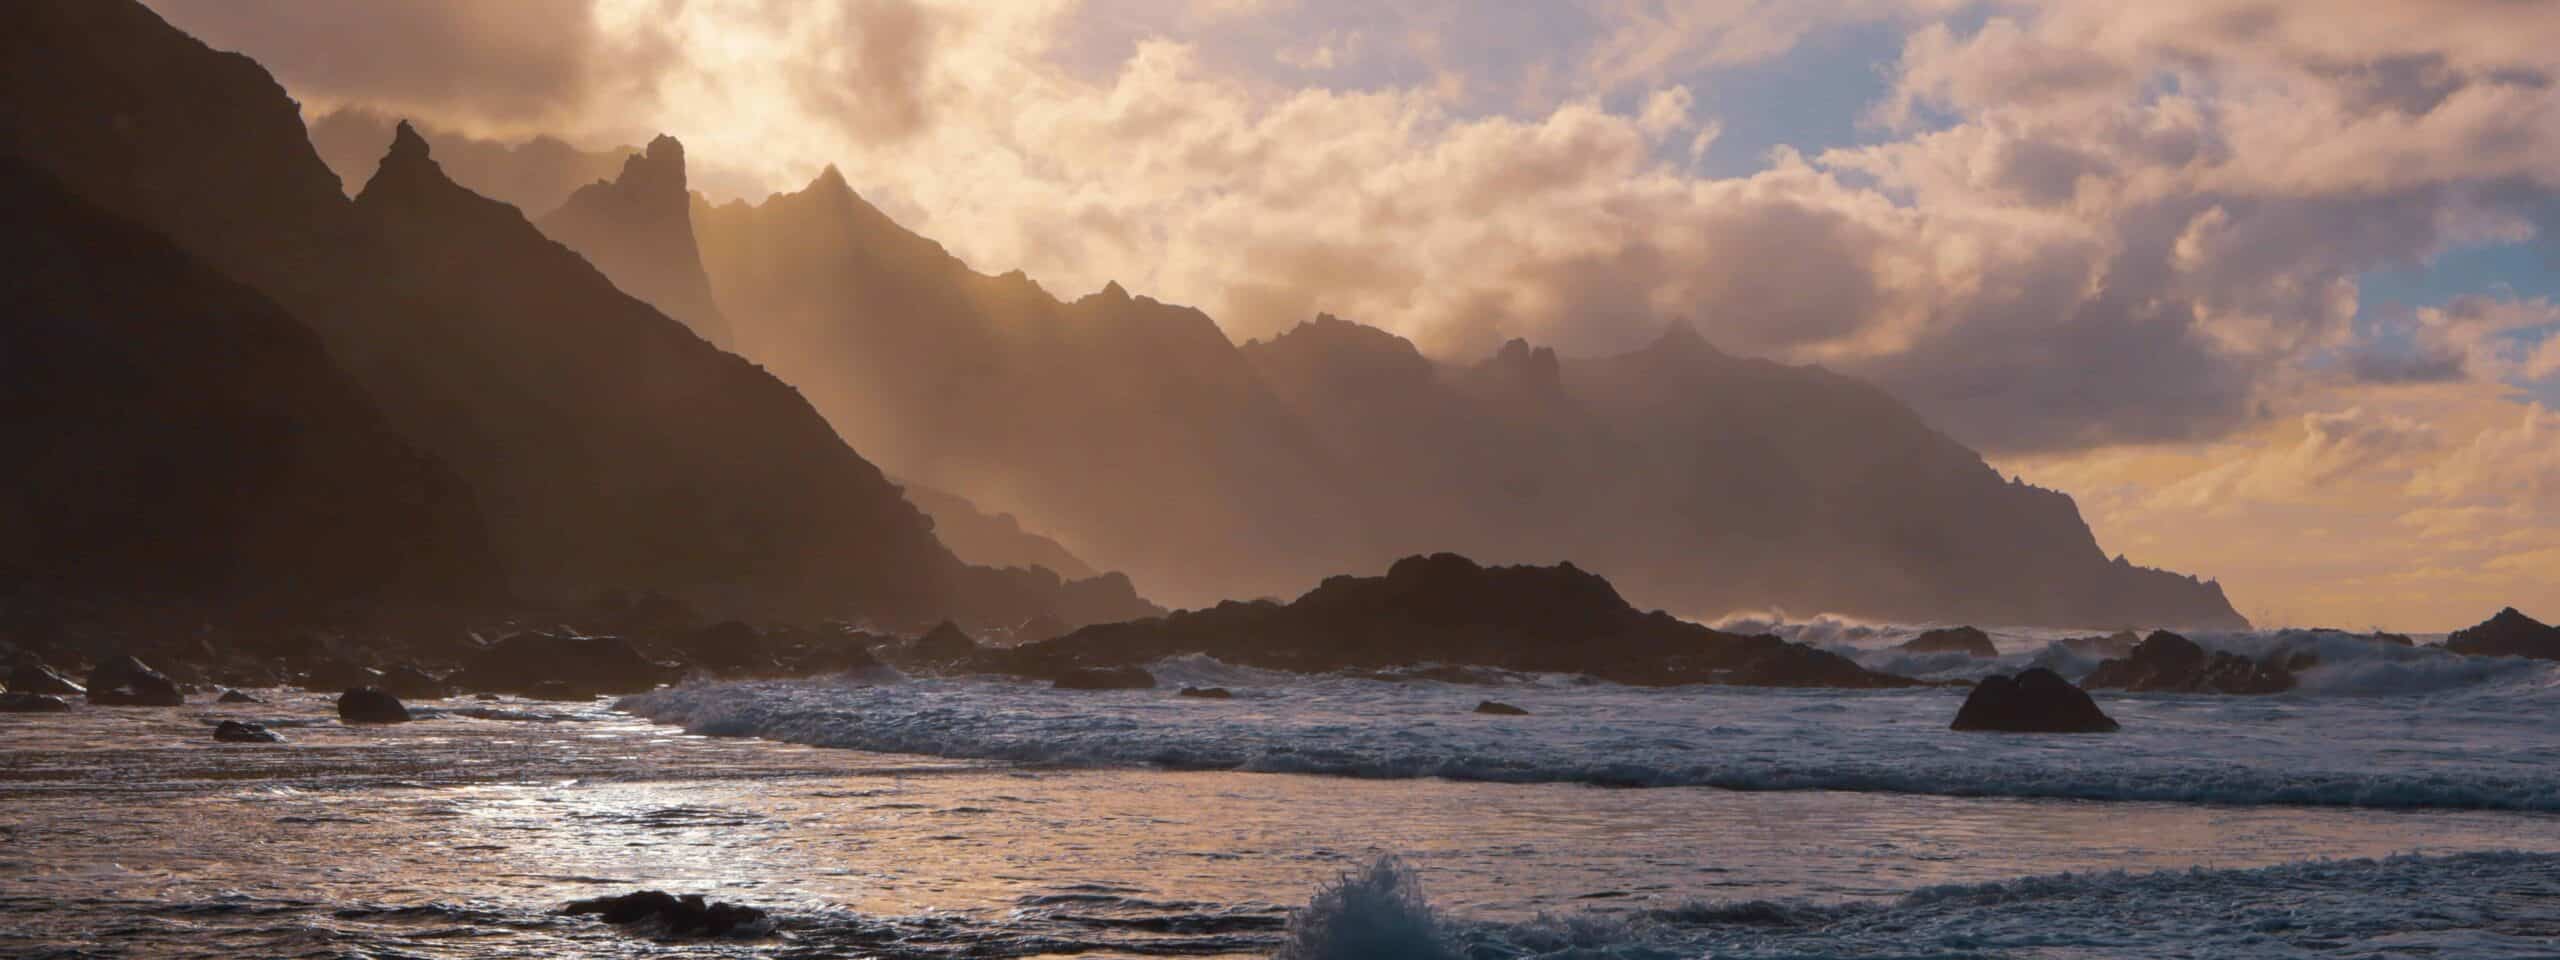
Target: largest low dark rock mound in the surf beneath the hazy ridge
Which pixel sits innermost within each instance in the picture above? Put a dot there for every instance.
(1455, 613)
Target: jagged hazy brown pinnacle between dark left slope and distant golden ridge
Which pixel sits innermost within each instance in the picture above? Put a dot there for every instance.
(639, 229)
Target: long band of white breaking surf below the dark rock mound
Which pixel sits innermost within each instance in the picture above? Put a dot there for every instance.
(2390, 728)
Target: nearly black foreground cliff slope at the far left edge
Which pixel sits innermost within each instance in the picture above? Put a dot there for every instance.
(180, 444)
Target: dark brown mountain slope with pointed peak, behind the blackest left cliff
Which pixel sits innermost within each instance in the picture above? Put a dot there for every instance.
(608, 447)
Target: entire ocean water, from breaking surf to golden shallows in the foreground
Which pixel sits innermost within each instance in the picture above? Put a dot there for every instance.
(2400, 803)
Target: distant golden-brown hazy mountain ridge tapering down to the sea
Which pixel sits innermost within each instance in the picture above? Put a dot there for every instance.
(1148, 442)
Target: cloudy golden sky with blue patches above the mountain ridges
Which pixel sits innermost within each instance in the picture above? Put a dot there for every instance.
(2267, 285)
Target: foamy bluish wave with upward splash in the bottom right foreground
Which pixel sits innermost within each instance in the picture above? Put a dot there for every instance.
(2484, 905)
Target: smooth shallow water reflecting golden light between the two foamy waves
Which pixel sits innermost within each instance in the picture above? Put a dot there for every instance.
(132, 833)
